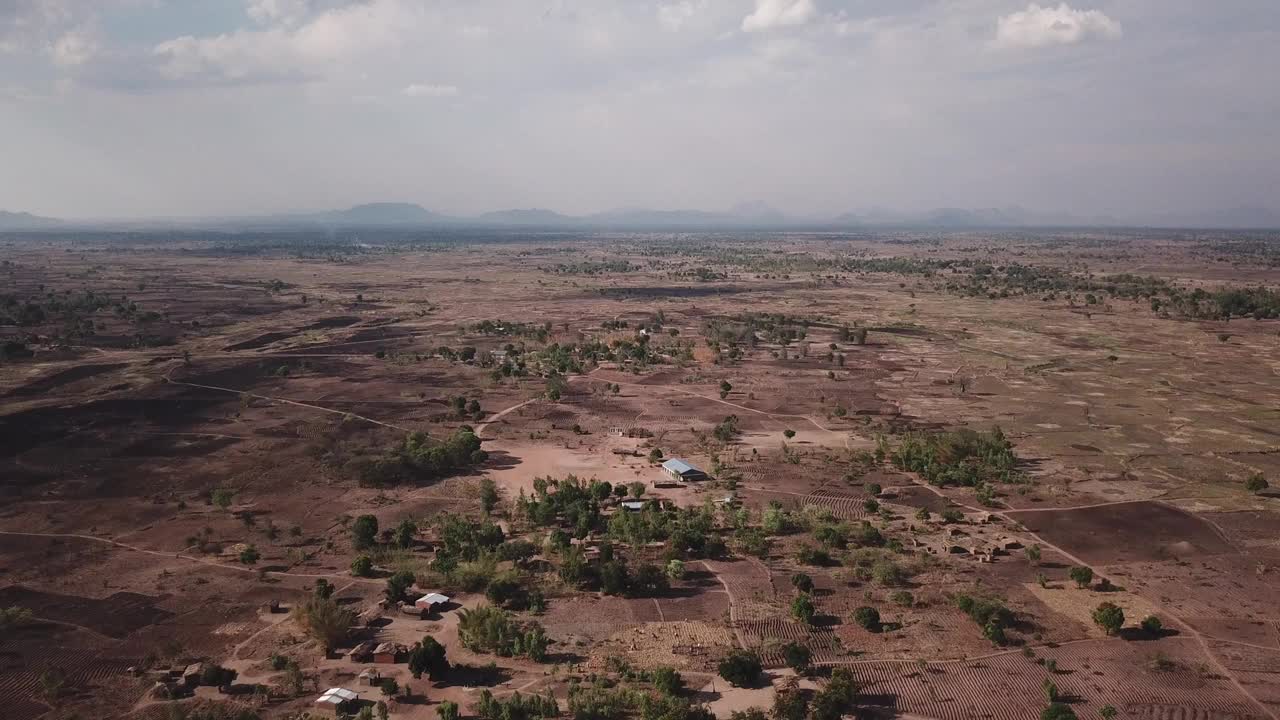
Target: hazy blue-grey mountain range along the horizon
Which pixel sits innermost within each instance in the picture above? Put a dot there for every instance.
(756, 216)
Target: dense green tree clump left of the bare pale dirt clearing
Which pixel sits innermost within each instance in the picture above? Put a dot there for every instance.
(420, 459)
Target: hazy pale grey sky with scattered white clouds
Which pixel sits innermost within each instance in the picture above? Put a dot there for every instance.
(117, 108)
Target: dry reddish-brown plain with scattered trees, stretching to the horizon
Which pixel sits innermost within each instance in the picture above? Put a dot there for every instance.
(925, 464)
